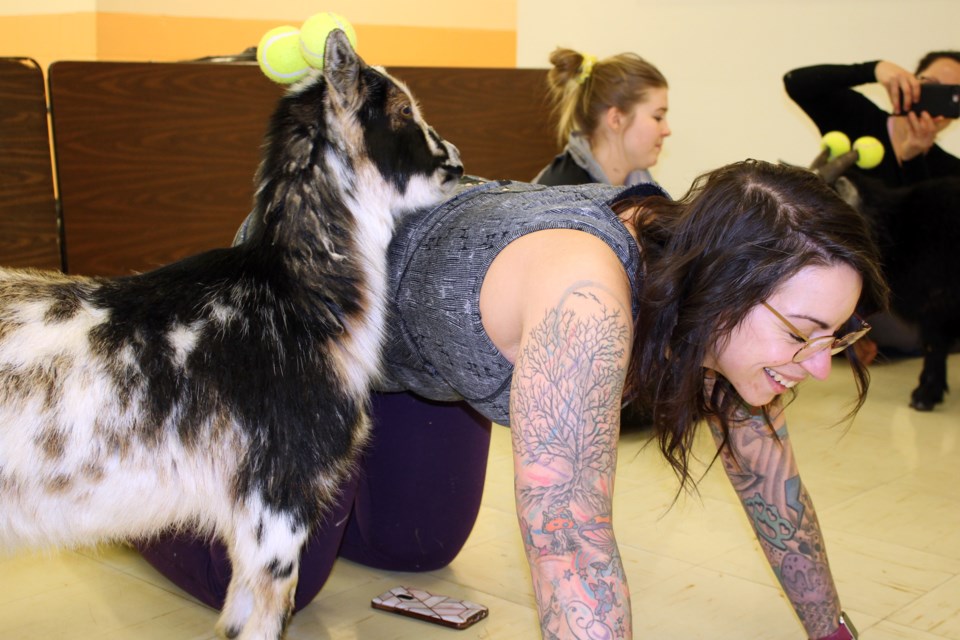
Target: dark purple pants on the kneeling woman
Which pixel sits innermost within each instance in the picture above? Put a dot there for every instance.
(410, 507)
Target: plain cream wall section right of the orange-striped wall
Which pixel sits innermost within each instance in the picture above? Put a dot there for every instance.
(724, 61)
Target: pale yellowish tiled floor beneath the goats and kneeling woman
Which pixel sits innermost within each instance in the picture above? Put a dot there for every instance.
(887, 491)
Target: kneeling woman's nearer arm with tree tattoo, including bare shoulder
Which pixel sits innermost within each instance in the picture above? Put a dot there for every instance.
(572, 344)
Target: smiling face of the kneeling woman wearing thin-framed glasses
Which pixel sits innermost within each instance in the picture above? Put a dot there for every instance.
(757, 356)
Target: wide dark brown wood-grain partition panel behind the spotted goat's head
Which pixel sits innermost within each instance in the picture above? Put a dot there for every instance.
(156, 161)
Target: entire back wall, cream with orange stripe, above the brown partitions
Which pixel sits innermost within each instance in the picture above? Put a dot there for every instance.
(724, 60)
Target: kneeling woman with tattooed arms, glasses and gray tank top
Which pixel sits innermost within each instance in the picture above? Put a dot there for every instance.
(543, 308)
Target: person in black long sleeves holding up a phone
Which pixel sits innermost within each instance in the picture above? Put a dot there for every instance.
(826, 93)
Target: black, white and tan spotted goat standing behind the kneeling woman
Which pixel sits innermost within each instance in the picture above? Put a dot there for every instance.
(225, 392)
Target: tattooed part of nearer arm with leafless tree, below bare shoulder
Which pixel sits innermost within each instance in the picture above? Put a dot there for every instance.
(565, 405)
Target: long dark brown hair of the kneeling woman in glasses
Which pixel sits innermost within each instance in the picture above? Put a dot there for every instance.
(710, 258)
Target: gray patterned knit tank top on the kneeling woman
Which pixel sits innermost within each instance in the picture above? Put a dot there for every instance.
(436, 346)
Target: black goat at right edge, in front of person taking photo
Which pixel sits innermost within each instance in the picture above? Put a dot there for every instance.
(918, 231)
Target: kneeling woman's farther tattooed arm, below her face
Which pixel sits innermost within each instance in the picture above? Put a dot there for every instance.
(761, 466)
